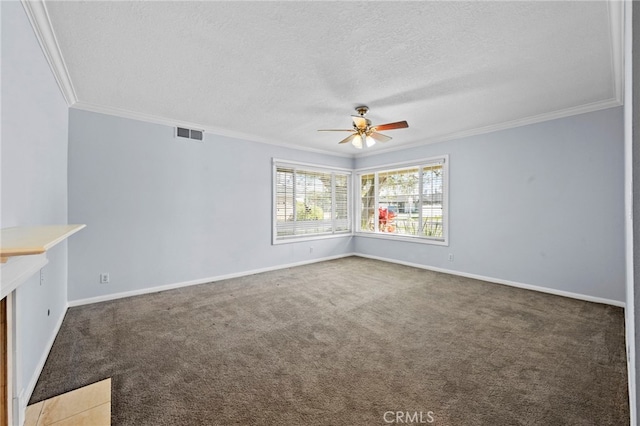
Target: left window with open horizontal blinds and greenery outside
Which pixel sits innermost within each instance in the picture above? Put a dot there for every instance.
(310, 202)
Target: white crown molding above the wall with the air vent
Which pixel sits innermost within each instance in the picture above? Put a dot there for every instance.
(150, 118)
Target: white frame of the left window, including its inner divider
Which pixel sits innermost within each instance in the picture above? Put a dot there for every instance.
(313, 168)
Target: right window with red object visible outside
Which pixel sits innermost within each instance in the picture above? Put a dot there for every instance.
(405, 201)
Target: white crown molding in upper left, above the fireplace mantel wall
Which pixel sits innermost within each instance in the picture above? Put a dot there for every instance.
(38, 16)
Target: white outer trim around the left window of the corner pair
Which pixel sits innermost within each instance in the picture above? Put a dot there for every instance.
(311, 168)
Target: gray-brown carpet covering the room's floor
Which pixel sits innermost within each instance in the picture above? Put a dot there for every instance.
(342, 343)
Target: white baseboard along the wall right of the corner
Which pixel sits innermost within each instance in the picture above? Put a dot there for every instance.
(501, 281)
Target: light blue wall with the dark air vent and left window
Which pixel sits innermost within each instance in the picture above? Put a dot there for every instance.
(161, 210)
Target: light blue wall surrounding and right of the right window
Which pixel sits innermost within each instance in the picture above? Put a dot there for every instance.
(540, 205)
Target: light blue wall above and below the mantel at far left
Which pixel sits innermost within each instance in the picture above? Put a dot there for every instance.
(34, 180)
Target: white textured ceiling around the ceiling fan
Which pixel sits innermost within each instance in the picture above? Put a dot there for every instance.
(278, 71)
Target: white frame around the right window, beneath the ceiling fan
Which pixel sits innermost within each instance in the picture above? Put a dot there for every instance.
(391, 167)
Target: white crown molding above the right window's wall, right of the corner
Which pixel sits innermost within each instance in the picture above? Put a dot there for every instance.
(554, 115)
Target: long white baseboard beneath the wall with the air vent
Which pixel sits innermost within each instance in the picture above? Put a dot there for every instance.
(148, 290)
